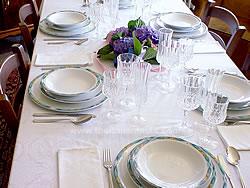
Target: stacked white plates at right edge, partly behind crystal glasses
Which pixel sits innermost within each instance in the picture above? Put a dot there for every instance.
(237, 89)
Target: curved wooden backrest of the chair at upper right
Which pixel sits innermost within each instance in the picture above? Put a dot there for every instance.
(230, 19)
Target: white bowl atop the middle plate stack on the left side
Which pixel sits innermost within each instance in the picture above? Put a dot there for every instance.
(69, 81)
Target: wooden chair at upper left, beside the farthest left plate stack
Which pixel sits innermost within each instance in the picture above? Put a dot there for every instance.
(26, 11)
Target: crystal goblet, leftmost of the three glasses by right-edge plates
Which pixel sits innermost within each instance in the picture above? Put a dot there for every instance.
(189, 97)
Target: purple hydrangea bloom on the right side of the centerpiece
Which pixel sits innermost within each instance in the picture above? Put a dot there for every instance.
(144, 32)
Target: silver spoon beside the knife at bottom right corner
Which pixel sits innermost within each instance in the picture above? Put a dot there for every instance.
(233, 158)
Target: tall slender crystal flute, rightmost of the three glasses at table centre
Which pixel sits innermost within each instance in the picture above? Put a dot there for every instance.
(141, 72)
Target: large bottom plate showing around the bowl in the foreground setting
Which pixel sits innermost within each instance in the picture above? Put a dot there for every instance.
(124, 177)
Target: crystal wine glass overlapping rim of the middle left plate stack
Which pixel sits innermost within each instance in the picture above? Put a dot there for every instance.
(111, 90)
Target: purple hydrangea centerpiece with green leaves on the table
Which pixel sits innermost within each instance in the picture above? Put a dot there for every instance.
(137, 38)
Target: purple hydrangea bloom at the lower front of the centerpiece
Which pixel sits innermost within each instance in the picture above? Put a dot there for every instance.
(123, 45)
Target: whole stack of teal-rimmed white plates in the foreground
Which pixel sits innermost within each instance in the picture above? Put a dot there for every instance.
(166, 162)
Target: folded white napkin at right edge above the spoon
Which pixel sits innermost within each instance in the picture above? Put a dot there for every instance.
(236, 136)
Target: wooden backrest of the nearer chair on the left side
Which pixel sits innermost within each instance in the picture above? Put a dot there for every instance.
(14, 63)
